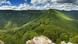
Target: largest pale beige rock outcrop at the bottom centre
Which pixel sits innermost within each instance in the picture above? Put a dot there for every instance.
(40, 40)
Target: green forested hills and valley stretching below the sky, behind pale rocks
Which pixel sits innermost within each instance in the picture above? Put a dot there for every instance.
(16, 27)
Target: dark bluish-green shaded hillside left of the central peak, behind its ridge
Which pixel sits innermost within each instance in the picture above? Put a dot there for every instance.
(18, 17)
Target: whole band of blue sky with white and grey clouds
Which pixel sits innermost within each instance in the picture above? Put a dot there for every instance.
(39, 4)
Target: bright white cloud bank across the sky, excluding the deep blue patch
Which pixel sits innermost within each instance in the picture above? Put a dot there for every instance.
(44, 5)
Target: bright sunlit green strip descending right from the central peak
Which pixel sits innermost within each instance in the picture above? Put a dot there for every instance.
(59, 15)
